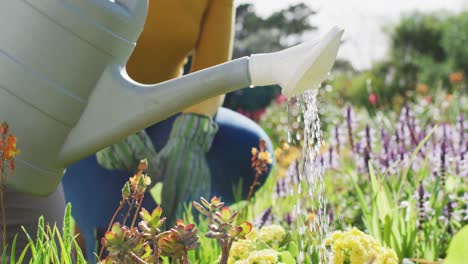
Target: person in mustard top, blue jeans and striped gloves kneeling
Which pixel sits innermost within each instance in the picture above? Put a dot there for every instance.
(205, 150)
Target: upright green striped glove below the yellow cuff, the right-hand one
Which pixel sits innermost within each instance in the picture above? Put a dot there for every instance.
(183, 163)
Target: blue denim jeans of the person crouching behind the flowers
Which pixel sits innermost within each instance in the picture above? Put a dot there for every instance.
(95, 192)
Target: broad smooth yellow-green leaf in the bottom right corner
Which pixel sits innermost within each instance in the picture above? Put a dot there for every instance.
(458, 248)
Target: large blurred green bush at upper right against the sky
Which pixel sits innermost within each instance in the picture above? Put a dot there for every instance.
(426, 49)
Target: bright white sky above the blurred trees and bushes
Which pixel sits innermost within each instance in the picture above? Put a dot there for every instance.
(363, 20)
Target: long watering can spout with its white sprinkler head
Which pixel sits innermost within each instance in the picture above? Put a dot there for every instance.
(119, 106)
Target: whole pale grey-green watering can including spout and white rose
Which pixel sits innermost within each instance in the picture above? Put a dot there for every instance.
(65, 93)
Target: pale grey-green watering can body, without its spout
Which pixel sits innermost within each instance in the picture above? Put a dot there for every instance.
(52, 54)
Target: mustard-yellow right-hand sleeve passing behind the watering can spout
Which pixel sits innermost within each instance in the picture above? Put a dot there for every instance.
(214, 46)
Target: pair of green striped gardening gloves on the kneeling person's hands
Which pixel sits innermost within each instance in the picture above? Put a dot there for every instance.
(181, 164)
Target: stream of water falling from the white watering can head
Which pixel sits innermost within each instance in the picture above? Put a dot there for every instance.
(310, 210)
